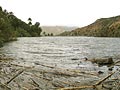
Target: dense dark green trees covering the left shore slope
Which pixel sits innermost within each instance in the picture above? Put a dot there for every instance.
(12, 27)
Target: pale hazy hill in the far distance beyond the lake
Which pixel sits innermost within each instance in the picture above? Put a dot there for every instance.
(56, 29)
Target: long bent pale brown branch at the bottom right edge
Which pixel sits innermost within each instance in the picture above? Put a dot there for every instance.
(92, 86)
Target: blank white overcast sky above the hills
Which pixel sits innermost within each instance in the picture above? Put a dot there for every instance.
(62, 12)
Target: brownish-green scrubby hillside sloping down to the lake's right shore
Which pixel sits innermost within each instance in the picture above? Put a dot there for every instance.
(104, 27)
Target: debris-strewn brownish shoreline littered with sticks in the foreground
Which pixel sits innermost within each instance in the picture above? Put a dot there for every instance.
(16, 75)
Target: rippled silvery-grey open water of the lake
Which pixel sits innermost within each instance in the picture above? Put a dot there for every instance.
(64, 52)
